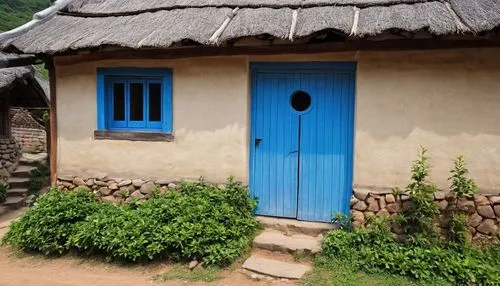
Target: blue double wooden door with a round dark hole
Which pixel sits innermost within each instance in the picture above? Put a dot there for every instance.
(302, 168)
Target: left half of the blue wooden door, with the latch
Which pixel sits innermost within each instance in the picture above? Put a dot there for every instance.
(275, 157)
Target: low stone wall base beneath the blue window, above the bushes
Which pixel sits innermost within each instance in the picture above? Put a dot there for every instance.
(116, 190)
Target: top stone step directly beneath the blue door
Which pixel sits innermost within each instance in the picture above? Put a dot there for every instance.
(290, 226)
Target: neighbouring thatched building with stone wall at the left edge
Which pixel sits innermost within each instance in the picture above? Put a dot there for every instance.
(18, 87)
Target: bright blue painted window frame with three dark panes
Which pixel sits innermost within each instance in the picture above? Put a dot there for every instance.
(106, 77)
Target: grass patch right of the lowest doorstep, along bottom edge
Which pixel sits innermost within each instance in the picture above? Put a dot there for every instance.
(338, 272)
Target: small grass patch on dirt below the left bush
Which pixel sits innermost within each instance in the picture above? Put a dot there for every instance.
(181, 272)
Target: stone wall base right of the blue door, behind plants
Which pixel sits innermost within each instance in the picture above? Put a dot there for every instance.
(483, 210)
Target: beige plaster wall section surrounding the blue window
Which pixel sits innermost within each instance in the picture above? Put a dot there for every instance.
(210, 119)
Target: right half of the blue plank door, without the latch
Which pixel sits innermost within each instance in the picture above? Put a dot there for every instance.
(325, 147)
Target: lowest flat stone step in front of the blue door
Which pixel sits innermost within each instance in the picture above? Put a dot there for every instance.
(275, 268)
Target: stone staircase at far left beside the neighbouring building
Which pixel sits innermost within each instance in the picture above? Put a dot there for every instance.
(19, 180)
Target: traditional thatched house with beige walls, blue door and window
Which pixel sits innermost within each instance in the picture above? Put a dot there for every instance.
(304, 100)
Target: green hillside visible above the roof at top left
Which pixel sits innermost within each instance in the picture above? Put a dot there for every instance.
(14, 13)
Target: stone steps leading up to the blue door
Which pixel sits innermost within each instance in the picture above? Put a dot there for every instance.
(284, 249)
